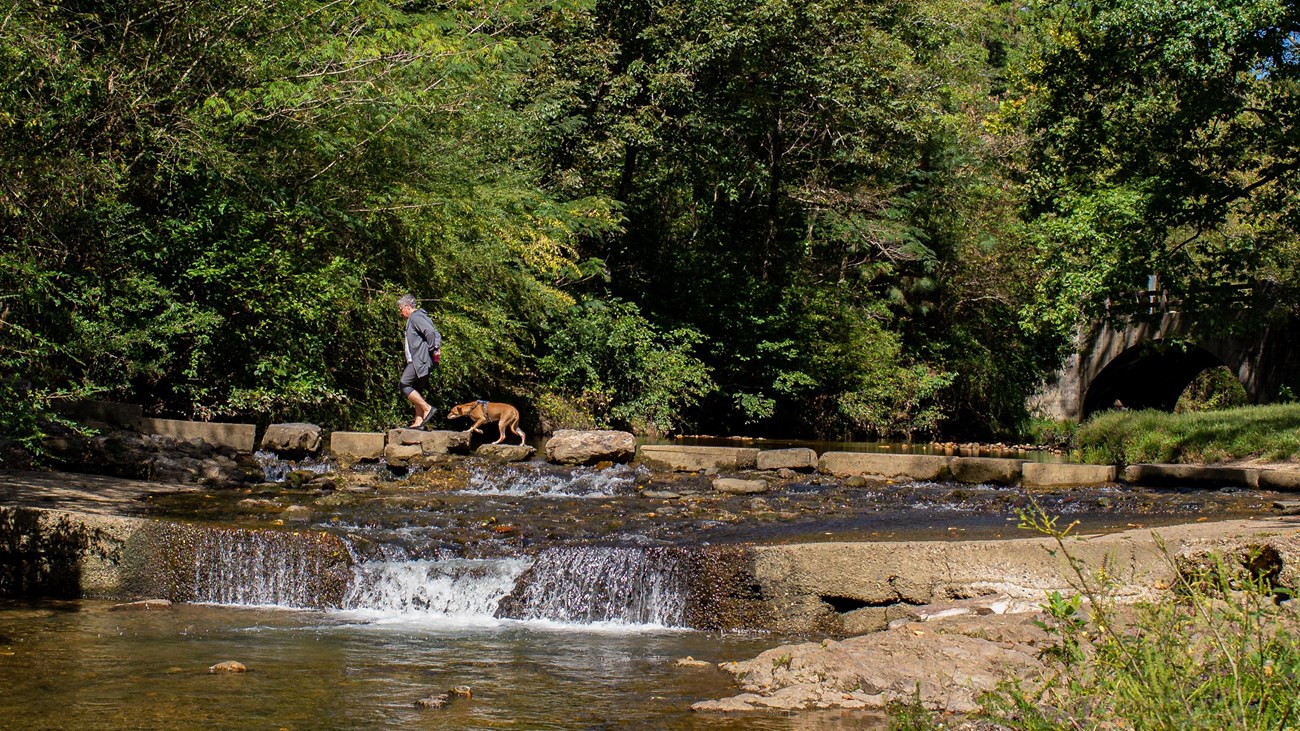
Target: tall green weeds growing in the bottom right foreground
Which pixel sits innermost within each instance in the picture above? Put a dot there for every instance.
(1216, 652)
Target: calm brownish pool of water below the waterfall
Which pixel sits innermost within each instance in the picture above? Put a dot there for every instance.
(80, 667)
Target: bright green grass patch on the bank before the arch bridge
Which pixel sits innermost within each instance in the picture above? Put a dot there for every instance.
(1132, 438)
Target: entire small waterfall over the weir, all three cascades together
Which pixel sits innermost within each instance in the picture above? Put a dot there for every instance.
(317, 570)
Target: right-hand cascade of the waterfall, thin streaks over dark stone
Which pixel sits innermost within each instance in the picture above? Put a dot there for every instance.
(586, 585)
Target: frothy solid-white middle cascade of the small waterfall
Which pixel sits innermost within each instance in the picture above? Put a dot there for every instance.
(460, 589)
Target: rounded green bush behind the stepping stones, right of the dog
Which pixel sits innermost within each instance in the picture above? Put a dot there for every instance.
(610, 366)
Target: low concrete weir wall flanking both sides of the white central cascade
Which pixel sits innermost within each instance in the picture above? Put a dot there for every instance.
(835, 589)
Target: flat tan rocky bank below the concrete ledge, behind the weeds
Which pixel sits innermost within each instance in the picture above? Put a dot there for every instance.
(948, 655)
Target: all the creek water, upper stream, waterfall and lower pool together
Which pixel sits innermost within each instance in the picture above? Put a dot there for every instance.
(558, 596)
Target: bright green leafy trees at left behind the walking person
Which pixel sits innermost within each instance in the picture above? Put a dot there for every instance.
(209, 207)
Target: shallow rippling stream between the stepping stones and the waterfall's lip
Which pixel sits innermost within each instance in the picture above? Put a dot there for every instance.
(478, 509)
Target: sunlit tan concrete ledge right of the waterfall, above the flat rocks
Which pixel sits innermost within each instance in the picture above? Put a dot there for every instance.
(798, 579)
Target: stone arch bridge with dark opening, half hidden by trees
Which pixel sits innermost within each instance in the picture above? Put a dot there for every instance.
(1149, 361)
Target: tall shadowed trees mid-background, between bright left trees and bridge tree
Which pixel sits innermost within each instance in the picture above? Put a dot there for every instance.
(809, 185)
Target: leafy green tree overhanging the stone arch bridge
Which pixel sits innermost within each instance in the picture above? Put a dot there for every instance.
(1164, 144)
